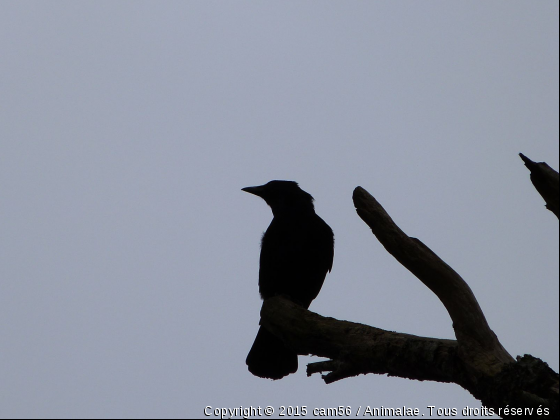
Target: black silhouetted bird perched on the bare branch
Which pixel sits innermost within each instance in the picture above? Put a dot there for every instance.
(297, 251)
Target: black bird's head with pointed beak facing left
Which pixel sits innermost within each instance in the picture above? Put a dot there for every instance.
(283, 197)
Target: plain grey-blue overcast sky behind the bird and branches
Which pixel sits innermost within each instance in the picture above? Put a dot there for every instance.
(129, 254)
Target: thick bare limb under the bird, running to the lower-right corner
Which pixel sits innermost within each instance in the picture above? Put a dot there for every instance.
(356, 349)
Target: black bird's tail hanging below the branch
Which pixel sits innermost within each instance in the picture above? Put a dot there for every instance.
(269, 358)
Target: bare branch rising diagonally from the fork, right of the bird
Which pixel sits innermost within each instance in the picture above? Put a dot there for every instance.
(476, 340)
